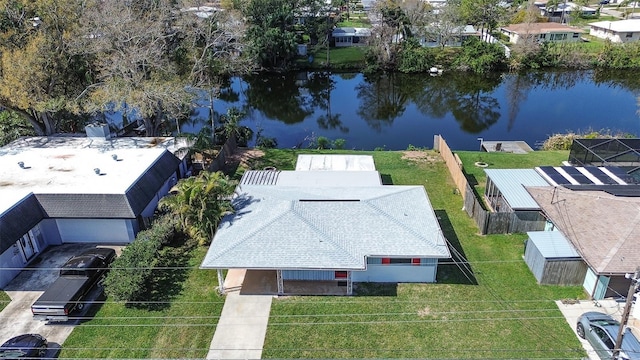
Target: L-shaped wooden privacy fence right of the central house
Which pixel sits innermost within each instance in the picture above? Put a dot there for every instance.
(488, 222)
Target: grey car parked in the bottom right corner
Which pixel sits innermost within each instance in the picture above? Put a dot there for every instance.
(601, 330)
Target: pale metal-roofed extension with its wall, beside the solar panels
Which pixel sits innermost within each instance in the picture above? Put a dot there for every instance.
(505, 190)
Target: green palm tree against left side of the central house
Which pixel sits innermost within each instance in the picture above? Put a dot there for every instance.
(199, 203)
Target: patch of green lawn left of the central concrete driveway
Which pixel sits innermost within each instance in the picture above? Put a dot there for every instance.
(181, 326)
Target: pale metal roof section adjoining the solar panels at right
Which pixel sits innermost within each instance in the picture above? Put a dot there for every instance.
(512, 182)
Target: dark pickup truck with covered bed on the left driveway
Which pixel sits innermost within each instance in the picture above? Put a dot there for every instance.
(78, 276)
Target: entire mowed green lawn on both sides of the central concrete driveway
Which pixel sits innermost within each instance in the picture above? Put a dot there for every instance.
(493, 310)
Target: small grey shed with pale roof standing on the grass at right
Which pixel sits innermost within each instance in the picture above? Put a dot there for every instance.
(553, 260)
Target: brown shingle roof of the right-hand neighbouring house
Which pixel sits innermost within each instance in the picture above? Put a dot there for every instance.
(605, 229)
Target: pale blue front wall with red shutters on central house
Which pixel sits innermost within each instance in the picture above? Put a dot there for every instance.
(423, 273)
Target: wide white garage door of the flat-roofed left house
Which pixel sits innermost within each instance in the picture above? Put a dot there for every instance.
(96, 230)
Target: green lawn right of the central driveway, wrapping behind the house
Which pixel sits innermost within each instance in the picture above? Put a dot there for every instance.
(495, 310)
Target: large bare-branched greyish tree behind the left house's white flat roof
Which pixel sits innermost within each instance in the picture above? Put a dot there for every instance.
(134, 46)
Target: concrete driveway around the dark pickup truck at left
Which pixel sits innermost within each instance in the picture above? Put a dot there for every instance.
(16, 318)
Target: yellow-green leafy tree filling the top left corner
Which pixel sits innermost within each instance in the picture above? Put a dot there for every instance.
(40, 76)
